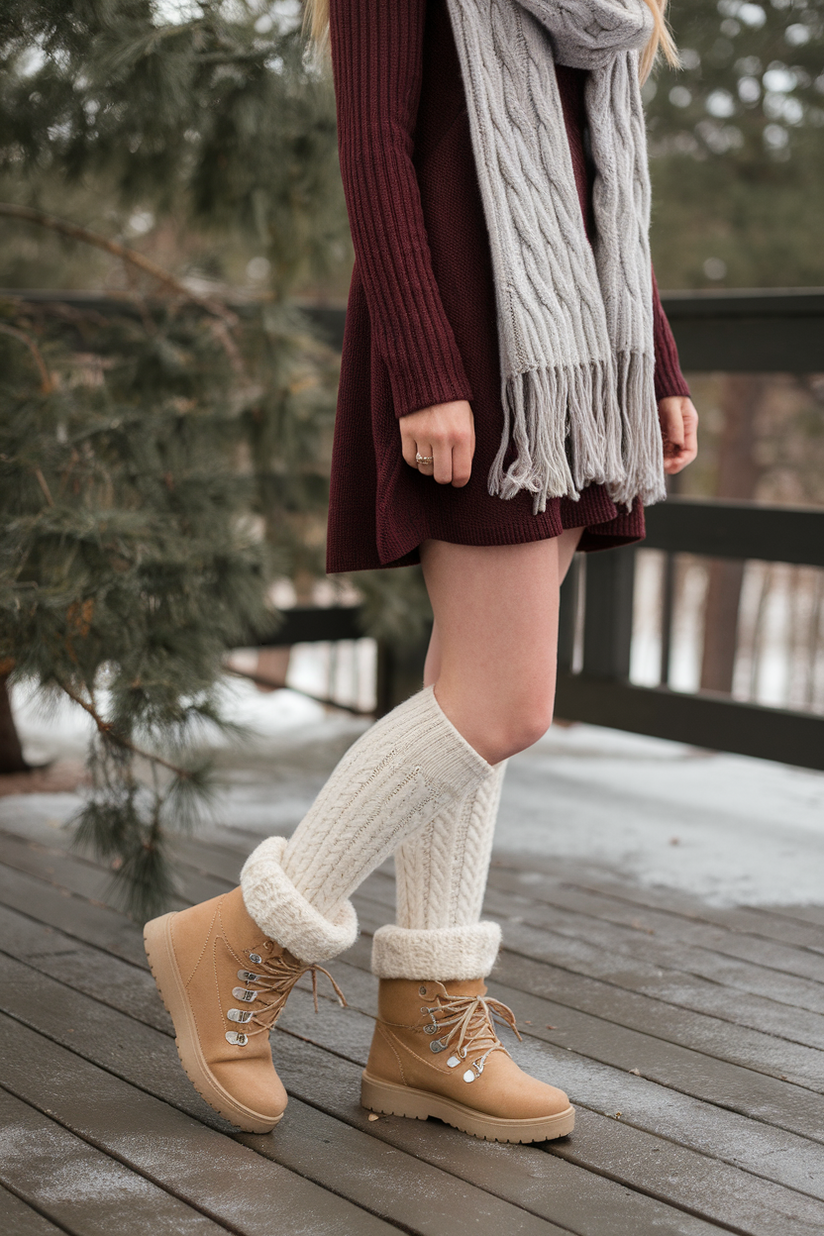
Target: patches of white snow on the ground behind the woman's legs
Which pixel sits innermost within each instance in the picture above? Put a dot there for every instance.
(726, 828)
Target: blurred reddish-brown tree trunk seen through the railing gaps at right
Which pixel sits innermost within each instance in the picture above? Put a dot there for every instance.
(738, 478)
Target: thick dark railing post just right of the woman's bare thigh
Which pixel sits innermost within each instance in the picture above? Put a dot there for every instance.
(608, 615)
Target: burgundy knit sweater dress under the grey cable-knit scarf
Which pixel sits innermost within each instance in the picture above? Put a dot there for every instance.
(421, 324)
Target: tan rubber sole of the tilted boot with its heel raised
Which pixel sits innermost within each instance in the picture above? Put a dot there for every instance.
(158, 941)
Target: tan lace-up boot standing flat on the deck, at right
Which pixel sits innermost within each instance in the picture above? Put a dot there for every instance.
(437, 1054)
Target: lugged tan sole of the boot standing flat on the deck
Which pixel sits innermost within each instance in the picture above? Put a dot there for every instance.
(401, 1101)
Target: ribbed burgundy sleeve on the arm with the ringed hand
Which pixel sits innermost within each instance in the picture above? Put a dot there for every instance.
(377, 61)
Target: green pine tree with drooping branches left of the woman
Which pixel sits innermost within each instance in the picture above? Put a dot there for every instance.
(165, 455)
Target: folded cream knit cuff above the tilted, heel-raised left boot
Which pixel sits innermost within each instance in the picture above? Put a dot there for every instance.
(286, 915)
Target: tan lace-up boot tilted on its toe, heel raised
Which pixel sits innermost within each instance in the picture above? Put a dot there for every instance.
(225, 984)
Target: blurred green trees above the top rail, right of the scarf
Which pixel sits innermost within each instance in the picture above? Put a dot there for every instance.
(737, 140)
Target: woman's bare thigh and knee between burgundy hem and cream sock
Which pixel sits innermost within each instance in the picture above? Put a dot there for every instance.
(495, 643)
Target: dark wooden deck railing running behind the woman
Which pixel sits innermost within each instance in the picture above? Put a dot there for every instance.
(727, 332)
